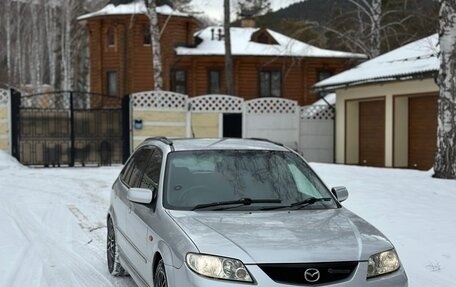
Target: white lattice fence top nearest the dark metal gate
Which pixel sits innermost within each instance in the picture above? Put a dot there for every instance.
(160, 101)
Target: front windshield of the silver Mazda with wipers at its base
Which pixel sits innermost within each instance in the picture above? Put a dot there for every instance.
(242, 180)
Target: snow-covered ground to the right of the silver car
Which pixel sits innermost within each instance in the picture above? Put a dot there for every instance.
(416, 212)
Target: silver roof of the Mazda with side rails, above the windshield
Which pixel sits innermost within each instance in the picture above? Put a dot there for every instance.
(219, 144)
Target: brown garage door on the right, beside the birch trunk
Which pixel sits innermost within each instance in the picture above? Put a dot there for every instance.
(422, 131)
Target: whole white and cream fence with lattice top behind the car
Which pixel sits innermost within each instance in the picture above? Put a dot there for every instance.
(309, 129)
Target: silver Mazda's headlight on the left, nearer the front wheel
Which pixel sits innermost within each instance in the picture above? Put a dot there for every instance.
(218, 267)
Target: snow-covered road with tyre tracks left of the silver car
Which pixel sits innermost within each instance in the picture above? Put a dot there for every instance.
(52, 226)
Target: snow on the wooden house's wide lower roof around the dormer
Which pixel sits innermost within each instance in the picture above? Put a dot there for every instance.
(242, 45)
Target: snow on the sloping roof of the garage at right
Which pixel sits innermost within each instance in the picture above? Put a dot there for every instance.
(414, 58)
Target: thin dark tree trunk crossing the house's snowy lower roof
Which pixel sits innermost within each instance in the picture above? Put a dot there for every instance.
(228, 56)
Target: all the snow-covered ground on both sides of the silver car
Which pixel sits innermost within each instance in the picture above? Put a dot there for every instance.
(52, 222)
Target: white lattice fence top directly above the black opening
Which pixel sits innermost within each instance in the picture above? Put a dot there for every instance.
(217, 103)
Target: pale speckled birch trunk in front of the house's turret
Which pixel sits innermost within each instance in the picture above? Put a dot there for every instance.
(155, 41)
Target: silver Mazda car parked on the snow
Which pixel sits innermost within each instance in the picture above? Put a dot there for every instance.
(238, 212)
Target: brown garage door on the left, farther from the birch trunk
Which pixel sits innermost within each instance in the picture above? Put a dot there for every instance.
(372, 133)
